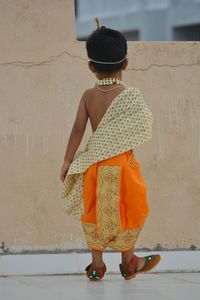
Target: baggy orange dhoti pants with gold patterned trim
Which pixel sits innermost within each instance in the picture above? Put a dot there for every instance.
(115, 203)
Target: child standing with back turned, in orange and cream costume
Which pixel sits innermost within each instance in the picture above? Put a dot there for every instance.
(104, 186)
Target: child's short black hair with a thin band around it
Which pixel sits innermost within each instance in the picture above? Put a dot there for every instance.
(107, 45)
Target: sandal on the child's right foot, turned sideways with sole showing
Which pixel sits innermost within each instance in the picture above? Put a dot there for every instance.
(131, 270)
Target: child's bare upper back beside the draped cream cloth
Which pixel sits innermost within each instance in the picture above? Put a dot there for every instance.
(97, 103)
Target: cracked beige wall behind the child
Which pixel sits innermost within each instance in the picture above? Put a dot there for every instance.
(43, 73)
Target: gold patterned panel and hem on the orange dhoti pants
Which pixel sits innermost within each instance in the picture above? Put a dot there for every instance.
(107, 232)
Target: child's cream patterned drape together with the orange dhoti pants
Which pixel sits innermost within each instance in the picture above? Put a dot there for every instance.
(104, 187)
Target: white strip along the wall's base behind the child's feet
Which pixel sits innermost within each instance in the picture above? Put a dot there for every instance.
(75, 263)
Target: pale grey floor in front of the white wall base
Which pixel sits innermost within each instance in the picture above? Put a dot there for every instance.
(157, 286)
